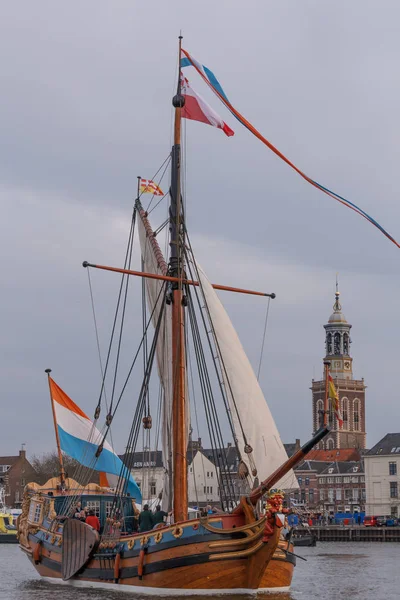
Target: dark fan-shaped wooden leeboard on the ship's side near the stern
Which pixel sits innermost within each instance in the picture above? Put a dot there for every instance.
(79, 541)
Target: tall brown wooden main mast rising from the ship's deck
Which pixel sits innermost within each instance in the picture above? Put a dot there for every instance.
(178, 320)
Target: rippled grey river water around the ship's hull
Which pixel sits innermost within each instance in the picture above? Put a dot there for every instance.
(355, 571)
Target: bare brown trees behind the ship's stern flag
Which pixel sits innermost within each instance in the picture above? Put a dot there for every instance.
(48, 465)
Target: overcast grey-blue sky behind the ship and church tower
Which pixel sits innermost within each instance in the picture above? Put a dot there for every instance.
(85, 107)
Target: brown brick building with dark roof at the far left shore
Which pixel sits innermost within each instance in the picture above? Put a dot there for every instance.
(15, 473)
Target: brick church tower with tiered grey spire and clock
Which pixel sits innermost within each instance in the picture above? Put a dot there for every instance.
(351, 391)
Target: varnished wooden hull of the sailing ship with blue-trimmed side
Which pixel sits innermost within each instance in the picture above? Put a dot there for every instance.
(191, 557)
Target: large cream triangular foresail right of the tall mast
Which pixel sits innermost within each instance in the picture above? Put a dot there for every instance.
(249, 409)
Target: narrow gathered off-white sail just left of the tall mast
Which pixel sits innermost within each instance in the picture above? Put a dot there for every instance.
(154, 263)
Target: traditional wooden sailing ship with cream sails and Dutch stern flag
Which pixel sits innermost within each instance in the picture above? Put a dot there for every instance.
(237, 550)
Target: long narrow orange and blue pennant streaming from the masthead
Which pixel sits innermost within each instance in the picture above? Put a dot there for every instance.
(210, 79)
